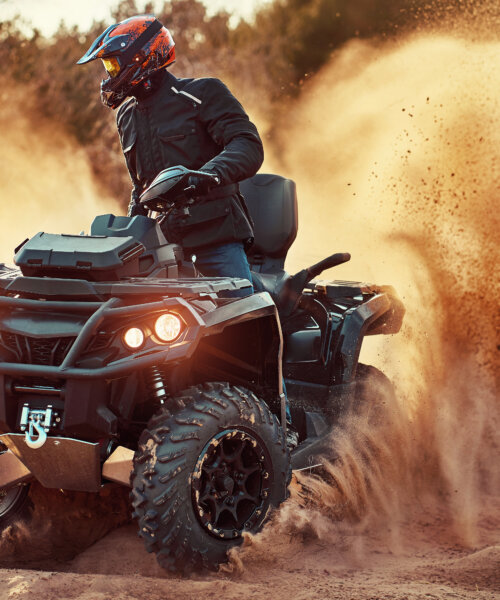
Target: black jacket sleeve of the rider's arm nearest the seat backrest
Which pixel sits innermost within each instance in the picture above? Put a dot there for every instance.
(229, 126)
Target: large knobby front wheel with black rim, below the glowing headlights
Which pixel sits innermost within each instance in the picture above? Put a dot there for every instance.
(207, 472)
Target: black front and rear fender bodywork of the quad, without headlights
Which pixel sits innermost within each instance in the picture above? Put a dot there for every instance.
(97, 384)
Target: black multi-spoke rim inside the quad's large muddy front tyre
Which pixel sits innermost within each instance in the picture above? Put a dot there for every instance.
(231, 484)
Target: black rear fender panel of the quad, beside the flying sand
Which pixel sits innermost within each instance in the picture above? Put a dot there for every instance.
(344, 312)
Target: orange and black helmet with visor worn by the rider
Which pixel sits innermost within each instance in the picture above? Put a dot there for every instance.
(131, 52)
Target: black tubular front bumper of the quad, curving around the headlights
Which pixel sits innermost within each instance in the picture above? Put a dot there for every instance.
(82, 396)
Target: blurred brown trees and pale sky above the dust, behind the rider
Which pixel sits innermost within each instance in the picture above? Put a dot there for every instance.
(269, 57)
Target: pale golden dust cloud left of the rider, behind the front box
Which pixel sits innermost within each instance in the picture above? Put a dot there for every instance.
(47, 184)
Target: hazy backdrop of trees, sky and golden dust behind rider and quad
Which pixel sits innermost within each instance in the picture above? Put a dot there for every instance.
(386, 113)
